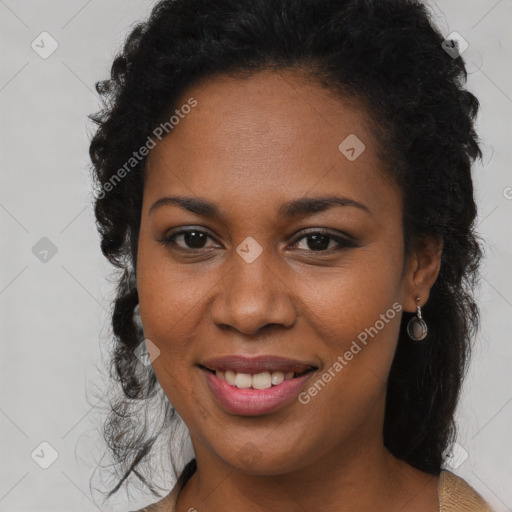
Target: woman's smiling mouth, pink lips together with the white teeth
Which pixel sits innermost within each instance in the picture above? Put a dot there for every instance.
(257, 385)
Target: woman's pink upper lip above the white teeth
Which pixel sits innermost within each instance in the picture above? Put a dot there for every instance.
(256, 364)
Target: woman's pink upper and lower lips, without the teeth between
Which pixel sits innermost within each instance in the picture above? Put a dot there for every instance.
(249, 401)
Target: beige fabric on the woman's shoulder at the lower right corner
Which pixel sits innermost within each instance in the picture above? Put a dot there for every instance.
(456, 495)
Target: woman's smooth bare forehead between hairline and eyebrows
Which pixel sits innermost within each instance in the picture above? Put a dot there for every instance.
(275, 135)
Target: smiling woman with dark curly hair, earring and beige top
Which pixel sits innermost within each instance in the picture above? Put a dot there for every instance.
(286, 187)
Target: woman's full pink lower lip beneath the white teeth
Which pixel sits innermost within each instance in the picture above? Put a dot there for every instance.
(254, 402)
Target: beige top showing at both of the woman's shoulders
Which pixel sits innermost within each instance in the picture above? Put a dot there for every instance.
(455, 495)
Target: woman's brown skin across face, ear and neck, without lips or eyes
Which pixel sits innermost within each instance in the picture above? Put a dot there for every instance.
(250, 145)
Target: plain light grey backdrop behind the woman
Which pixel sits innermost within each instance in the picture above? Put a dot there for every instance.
(54, 286)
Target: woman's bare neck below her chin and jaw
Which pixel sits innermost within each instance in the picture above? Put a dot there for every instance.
(342, 480)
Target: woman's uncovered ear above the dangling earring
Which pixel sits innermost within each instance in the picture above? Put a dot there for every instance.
(422, 269)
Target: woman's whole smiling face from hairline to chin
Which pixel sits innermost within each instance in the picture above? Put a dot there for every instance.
(277, 285)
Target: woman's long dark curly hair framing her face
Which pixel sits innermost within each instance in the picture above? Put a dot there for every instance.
(388, 56)
